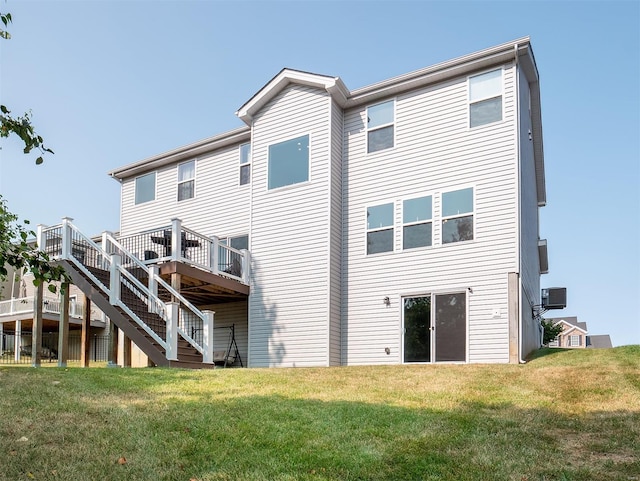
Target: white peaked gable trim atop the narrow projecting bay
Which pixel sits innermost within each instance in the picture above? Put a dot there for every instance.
(333, 85)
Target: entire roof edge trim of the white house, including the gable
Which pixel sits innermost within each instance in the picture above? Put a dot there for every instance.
(518, 50)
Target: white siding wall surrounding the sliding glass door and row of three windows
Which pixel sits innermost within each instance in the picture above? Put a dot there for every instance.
(434, 152)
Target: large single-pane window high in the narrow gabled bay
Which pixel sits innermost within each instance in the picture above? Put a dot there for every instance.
(289, 162)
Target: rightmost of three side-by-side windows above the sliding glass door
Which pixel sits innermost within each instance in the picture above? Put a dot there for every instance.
(457, 215)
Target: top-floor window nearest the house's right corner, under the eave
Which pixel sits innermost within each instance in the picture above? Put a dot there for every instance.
(485, 98)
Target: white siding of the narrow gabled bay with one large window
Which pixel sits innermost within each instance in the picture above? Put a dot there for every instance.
(288, 318)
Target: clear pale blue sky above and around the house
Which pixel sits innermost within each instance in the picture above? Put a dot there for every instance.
(110, 83)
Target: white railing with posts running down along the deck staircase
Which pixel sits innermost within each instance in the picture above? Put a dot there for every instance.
(125, 268)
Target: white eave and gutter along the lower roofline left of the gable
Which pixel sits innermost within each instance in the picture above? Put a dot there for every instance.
(242, 134)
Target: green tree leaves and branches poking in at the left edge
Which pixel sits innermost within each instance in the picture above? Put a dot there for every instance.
(15, 250)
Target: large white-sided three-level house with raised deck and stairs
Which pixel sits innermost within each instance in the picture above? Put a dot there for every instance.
(393, 223)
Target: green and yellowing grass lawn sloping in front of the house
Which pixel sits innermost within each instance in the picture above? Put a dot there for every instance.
(566, 415)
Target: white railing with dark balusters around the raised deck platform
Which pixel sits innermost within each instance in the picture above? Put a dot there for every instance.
(178, 243)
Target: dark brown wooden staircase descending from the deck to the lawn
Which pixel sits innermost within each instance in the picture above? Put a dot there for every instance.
(188, 356)
